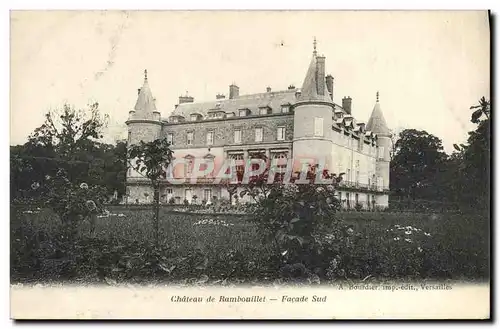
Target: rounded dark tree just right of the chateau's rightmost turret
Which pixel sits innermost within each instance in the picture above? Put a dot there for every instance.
(418, 161)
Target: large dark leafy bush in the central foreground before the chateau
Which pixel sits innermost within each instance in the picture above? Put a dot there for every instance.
(294, 217)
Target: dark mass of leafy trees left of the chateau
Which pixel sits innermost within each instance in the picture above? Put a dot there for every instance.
(69, 140)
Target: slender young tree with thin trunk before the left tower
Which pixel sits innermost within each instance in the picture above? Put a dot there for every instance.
(152, 159)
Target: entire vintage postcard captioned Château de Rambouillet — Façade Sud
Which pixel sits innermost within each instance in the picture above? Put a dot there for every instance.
(250, 165)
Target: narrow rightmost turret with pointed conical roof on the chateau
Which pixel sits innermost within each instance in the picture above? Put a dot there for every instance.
(377, 125)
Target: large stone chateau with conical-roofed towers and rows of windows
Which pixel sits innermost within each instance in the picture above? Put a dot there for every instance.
(305, 123)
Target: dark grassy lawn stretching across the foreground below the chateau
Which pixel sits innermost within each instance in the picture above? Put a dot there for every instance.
(392, 245)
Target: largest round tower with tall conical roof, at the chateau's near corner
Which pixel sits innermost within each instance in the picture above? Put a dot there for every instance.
(313, 117)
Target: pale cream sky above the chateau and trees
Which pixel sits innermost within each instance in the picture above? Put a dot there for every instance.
(429, 67)
